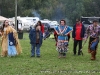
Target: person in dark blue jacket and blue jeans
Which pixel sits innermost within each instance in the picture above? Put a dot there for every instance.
(35, 37)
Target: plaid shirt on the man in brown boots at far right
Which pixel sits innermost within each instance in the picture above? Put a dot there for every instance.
(92, 31)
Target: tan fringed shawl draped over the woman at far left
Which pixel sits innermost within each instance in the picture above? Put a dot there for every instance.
(4, 41)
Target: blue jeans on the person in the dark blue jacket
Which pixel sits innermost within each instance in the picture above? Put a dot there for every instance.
(37, 46)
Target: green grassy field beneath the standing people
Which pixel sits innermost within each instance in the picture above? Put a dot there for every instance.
(48, 63)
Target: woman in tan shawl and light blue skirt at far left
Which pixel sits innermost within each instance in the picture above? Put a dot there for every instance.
(9, 43)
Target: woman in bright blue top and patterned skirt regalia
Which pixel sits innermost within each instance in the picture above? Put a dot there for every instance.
(62, 41)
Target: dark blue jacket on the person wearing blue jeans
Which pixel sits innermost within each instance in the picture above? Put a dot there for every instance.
(32, 36)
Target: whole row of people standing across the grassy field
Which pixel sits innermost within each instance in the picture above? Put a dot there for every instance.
(10, 45)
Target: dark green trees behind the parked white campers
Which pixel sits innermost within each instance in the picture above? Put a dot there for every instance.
(51, 9)
